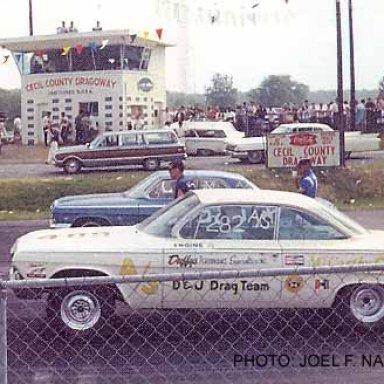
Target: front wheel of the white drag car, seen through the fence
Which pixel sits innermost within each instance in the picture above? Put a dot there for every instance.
(80, 310)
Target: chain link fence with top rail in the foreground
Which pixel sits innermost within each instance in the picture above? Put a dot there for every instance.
(282, 325)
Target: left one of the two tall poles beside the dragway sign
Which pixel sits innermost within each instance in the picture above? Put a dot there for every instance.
(340, 102)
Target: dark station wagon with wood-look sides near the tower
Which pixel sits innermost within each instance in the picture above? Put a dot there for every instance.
(148, 148)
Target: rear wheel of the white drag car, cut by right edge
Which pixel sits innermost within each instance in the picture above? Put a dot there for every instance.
(367, 304)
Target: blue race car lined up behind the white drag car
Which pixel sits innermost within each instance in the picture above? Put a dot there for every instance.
(136, 204)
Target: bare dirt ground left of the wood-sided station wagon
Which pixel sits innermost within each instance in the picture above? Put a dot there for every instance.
(23, 154)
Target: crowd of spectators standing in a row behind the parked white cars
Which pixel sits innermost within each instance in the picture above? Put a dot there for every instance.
(256, 119)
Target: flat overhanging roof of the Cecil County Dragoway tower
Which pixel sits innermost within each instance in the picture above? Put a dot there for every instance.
(60, 40)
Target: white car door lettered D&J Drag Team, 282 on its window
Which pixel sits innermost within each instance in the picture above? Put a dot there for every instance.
(218, 238)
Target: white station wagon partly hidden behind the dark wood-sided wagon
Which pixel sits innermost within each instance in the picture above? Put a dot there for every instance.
(206, 138)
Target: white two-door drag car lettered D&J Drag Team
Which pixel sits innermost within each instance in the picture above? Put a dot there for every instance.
(205, 231)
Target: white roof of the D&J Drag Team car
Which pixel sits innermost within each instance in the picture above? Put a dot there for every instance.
(270, 197)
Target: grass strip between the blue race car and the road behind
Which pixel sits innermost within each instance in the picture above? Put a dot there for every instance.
(357, 187)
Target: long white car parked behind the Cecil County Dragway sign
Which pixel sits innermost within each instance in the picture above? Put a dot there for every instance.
(253, 149)
